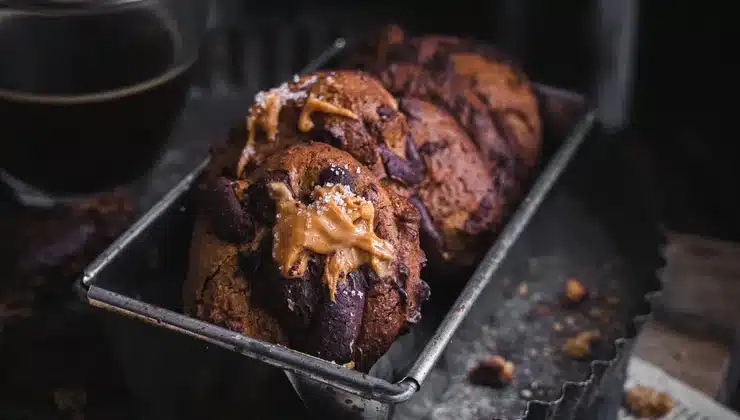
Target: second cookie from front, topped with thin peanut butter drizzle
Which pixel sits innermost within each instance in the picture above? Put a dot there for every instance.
(348, 109)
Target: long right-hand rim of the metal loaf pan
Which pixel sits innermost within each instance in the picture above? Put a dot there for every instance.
(485, 271)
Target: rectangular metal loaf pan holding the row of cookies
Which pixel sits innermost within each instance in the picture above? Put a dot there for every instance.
(111, 282)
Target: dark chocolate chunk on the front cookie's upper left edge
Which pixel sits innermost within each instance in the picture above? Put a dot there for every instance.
(229, 220)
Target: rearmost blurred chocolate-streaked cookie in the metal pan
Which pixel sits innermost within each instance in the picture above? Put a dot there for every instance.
(490, 98)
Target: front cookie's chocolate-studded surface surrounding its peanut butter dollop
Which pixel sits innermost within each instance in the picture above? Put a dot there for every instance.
(234, 280)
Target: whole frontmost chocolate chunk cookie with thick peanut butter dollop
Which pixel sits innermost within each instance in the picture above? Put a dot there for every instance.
(311, 251)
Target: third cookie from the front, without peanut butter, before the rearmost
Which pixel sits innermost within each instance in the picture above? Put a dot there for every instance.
(457, 191)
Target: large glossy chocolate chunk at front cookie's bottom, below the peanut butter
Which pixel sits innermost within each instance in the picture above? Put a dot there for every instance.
(337, 324)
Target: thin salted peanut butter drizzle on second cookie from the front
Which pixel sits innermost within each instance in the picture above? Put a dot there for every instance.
(266, 114)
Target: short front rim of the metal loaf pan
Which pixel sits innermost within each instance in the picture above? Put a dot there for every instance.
(319, 370)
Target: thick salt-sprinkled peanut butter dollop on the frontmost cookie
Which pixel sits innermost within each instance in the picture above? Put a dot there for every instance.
(338, 224)
